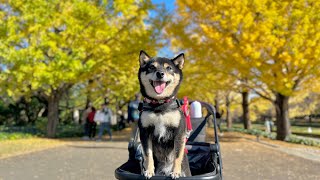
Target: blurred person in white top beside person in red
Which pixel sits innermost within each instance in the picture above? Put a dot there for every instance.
(103, 117)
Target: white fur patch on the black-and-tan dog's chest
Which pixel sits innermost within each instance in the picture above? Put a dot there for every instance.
(160, 121)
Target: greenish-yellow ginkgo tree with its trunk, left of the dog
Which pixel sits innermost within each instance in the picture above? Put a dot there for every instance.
(48, 46)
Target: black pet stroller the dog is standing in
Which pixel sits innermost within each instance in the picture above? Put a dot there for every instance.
(204, 158)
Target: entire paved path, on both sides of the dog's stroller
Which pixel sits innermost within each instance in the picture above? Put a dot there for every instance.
(243, 159)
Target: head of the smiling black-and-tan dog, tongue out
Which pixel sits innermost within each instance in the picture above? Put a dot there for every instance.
(160, 77)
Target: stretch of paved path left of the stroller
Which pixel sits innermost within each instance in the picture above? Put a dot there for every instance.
(79, 160)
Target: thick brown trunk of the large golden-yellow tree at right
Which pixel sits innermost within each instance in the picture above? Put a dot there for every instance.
(282, 115)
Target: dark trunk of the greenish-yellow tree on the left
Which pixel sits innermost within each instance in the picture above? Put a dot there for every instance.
(53, 115)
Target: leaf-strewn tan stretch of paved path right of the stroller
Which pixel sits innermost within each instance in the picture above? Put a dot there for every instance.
(248, 159)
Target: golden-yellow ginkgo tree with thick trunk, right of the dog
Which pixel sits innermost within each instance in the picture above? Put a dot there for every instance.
(273, 47)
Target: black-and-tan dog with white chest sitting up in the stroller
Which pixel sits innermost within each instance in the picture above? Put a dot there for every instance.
(162, 124)
